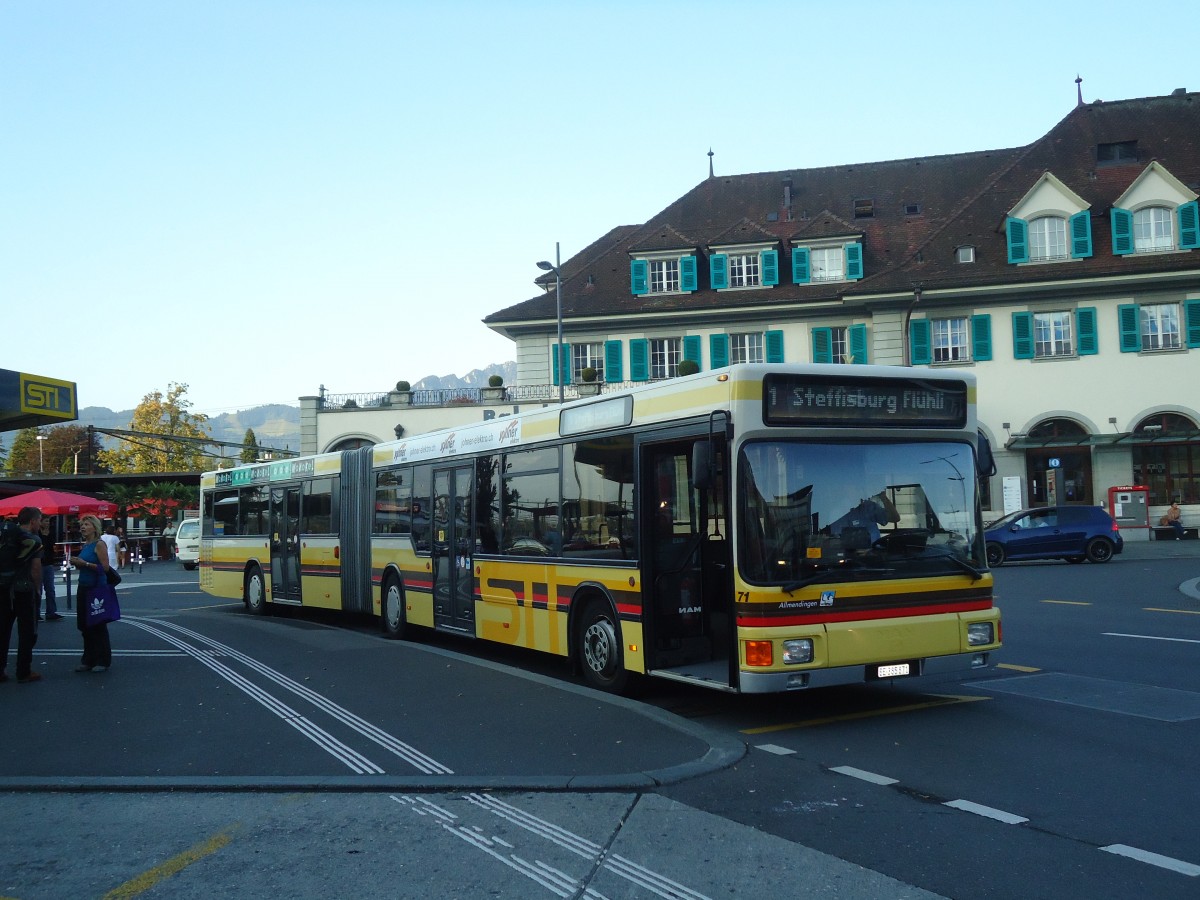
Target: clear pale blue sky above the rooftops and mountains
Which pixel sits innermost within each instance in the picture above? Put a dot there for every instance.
(259, 199)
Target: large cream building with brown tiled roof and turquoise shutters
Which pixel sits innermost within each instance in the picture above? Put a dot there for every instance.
(1065, 273)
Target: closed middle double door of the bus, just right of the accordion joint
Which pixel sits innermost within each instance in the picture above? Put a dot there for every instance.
(454, 550)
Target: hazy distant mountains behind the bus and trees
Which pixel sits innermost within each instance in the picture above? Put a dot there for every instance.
(278, 425)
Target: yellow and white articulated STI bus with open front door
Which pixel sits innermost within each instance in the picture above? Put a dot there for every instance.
(754, 529)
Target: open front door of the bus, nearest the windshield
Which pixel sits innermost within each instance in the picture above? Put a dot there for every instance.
(686, 569)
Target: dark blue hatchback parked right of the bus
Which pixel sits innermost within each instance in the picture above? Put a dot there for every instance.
(1071, 533)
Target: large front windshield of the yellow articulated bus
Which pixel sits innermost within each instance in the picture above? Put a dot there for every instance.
(815, 513)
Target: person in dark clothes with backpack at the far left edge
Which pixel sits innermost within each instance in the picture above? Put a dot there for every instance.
(20, 577)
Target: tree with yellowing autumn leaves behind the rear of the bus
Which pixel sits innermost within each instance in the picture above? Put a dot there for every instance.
(170, 418)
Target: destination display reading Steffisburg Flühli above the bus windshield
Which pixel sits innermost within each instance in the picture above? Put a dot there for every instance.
(875, 403)
